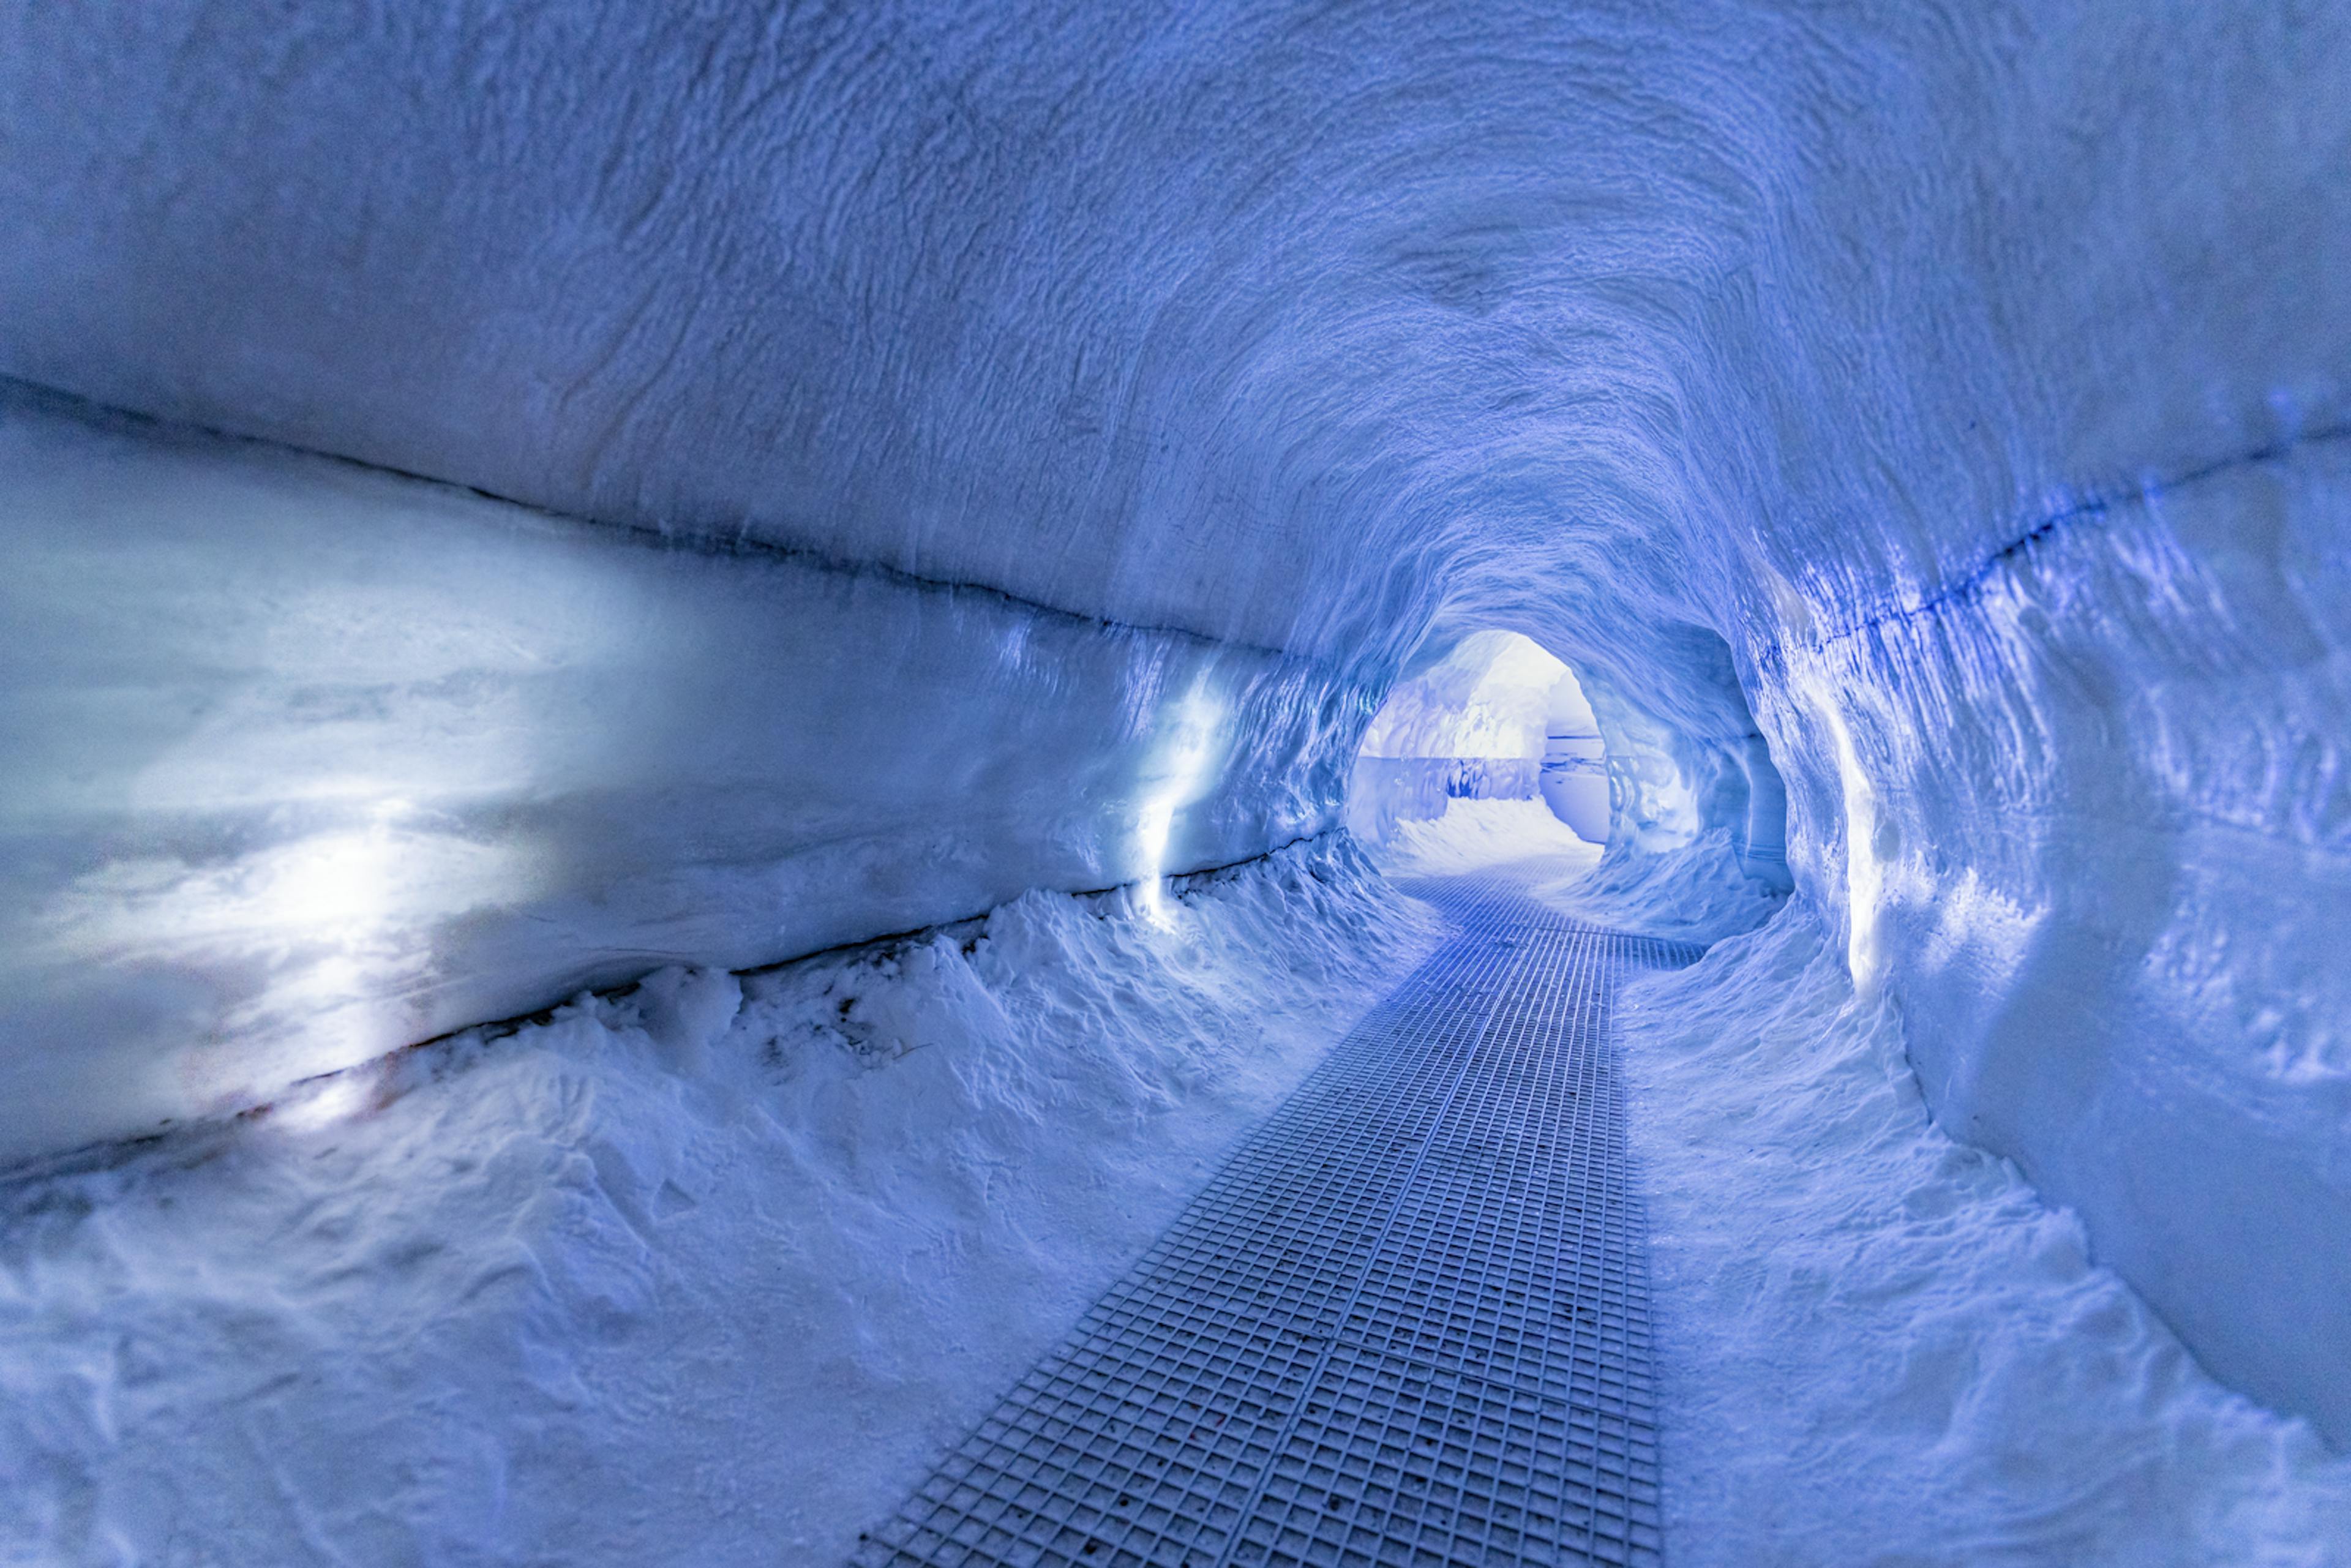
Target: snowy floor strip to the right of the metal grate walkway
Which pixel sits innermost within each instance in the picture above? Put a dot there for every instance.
(1877, 1346)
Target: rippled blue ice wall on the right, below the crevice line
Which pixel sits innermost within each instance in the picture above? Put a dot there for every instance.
(2098, 850)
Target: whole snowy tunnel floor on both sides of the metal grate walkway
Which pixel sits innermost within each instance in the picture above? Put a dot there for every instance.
(714, 1271)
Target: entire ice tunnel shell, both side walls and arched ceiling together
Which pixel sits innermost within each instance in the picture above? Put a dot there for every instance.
(509, 497)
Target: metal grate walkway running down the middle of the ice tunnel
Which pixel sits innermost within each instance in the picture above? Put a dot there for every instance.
(1407, 1325)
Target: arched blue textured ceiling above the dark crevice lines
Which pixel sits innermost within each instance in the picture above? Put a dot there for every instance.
(1285, 326)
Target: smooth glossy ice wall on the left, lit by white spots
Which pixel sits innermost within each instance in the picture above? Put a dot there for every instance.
(312, 763)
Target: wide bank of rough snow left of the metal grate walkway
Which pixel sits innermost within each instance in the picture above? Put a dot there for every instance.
(702, 1275)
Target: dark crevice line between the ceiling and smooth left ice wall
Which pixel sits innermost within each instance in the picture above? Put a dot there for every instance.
(718, 544)
